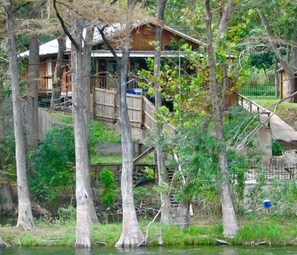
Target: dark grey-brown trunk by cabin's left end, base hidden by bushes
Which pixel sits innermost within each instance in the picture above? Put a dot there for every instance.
(32, 99)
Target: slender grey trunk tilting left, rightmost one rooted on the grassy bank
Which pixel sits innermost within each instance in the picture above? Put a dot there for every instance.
(230, 224)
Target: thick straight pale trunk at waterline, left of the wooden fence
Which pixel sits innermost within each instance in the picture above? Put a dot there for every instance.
(83, 197)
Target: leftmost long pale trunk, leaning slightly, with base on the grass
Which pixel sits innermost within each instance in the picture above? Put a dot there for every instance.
(25, 217)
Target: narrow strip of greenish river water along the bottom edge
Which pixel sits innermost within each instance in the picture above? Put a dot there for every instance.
(204, 250)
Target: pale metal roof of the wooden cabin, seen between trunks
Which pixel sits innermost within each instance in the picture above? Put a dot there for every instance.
(51, 47)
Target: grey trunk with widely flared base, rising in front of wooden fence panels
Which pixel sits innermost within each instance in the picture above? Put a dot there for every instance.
(131, 235)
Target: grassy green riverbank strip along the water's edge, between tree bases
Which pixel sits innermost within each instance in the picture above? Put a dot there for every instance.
(267, 231)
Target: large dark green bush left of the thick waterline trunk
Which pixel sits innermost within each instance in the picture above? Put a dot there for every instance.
(53, 177)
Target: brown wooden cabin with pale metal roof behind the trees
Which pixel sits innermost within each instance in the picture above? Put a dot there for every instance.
(104, 70)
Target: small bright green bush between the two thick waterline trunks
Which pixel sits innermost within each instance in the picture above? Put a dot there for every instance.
(108, 192)
